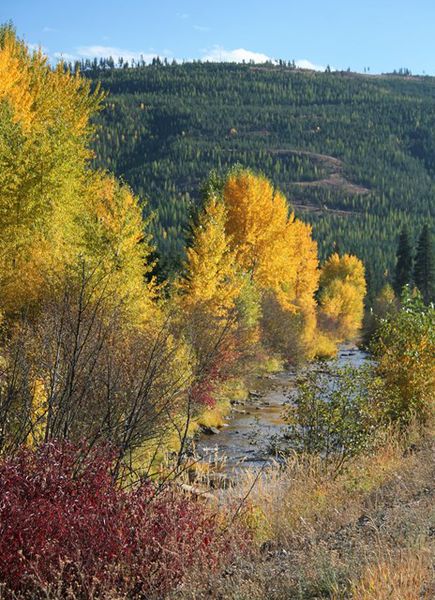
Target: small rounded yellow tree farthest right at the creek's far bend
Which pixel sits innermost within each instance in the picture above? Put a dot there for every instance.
(342, 292)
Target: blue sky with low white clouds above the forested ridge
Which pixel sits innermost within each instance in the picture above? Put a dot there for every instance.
(382, 35)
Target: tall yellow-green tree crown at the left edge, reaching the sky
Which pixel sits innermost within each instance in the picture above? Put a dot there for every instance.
(44, 134)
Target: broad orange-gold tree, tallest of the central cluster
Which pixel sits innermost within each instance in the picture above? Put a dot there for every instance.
(277, 251)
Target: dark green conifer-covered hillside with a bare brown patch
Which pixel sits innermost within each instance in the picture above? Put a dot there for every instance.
(355, 155)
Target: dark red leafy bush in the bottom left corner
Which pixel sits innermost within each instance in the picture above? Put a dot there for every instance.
(63, 519)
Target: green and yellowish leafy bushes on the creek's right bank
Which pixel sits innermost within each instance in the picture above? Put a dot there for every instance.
(336, 414)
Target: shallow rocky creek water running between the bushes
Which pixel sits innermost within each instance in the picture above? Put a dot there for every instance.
(242, 442)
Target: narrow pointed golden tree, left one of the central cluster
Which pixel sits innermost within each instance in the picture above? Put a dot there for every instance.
(207, 295)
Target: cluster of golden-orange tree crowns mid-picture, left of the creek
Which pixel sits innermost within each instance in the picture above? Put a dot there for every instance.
(247, 237)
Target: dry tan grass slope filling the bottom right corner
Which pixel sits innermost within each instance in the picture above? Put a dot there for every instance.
(365, 535)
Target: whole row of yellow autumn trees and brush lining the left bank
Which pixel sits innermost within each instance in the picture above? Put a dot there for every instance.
(79, 301)
